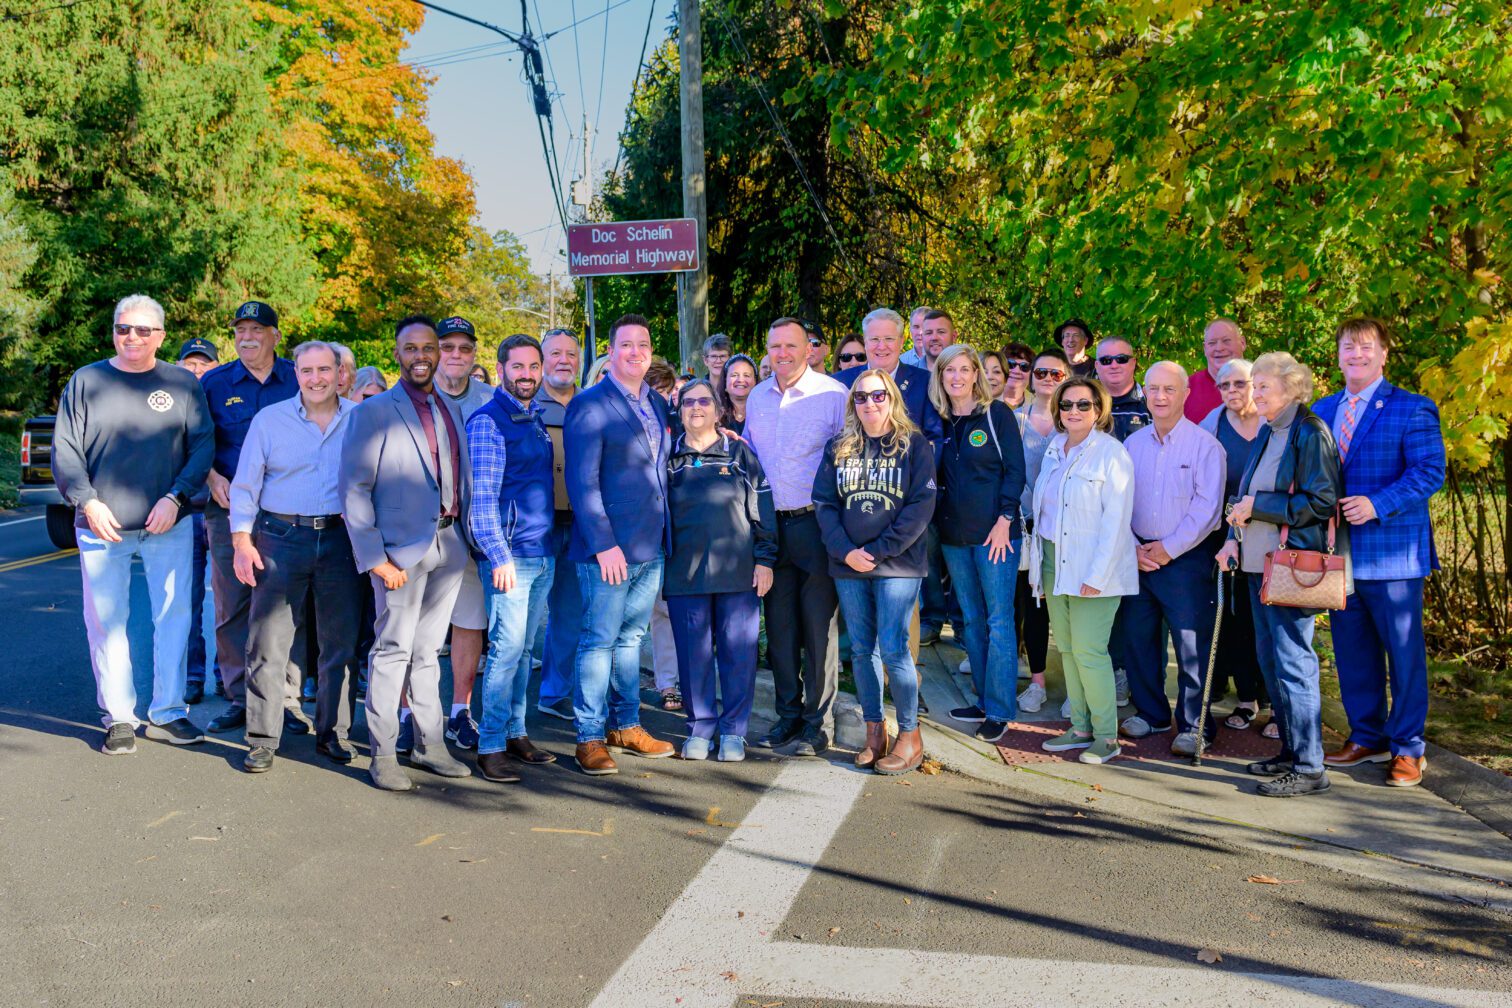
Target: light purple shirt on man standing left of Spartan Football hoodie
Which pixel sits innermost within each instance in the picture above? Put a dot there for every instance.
(790, 431)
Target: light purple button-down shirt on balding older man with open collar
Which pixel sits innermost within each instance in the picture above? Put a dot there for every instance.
(1179, 486)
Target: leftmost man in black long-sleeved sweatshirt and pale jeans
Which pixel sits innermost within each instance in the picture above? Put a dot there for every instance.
(134, 444)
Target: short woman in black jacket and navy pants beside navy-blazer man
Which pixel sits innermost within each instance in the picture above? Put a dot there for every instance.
(723, 551)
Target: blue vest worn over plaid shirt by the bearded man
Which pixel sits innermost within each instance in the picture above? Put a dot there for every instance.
(527, 498)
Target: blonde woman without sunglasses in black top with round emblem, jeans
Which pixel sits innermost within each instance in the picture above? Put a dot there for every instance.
(981, 478)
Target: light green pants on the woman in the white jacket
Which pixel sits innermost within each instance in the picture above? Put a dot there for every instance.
(1082, 628)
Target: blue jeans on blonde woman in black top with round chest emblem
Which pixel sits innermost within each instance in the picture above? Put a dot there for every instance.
(987, 593)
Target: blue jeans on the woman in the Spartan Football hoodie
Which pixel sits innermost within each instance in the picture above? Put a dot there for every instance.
(878, 614)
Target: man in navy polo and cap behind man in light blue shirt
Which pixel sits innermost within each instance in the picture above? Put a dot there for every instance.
(237, 392)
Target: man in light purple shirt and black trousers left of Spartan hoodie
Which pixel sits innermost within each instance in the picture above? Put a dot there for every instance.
(790, 419)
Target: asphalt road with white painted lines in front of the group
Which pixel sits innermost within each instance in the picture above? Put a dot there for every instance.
(173, 879)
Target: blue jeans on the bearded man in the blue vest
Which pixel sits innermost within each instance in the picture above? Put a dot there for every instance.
(513, 619)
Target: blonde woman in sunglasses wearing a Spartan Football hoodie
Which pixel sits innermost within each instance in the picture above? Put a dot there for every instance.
(873, 499)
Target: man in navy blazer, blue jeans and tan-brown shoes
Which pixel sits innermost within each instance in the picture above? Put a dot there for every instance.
(616, 447)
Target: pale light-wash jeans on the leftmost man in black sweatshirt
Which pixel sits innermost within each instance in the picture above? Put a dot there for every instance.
(107, 567)
